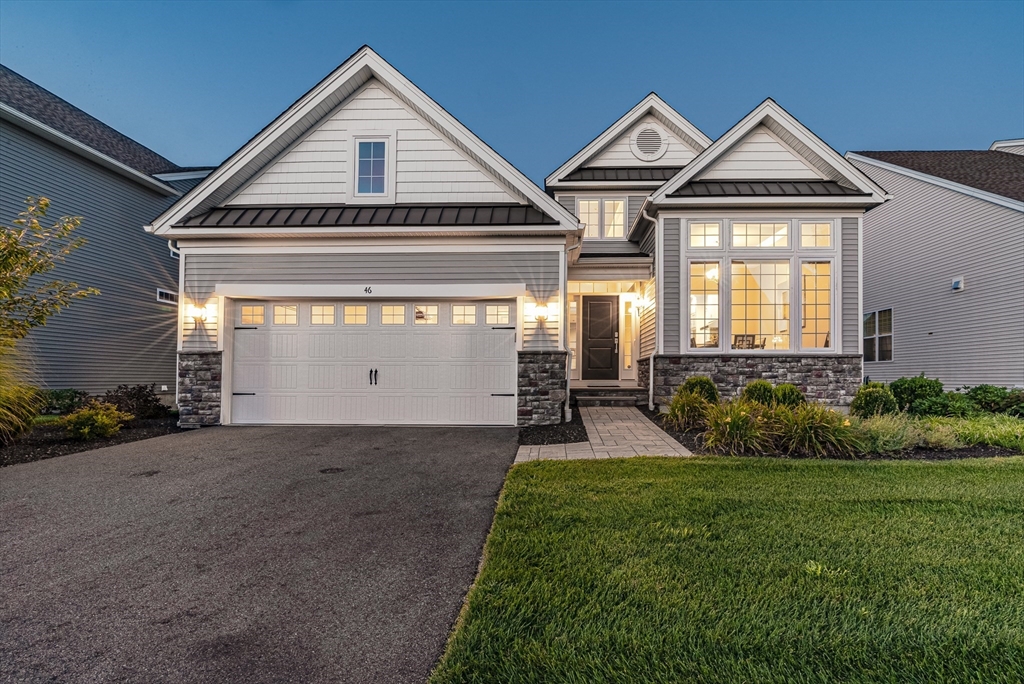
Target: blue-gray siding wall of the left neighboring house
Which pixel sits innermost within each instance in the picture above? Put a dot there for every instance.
(123, 336)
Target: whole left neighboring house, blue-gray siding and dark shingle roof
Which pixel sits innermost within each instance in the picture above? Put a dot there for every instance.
(125, 335)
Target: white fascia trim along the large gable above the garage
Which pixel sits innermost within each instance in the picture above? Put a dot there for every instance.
(371, 65)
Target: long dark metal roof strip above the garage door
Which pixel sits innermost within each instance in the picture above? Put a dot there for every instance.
(426, 216)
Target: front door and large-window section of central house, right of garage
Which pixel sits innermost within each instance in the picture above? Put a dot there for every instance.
(738, 259)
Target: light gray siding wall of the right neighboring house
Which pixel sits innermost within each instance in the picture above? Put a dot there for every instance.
(914, 246)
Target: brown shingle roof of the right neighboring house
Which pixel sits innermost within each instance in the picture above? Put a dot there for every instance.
(990, 170)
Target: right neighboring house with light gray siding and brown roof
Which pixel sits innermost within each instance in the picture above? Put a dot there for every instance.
(945, 266)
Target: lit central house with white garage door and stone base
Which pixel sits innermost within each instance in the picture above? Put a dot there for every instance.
(366, 259)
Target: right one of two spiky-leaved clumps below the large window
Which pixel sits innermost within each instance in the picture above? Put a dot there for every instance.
(816, 432)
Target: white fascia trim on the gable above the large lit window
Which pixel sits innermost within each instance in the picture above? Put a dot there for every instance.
(771, 109)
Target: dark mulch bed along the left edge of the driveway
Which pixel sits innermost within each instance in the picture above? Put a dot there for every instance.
(50, 440)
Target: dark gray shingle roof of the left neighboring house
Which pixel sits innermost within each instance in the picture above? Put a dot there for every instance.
(20, 94)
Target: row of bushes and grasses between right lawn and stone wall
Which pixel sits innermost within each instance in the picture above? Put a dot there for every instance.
(767, 420)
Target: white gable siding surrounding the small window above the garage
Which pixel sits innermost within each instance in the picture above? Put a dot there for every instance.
(316, 170)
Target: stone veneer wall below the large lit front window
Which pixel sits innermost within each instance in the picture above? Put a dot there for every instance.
(833, 380)
